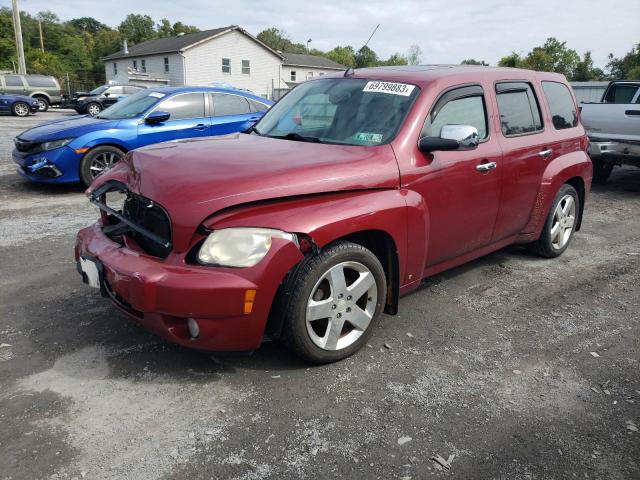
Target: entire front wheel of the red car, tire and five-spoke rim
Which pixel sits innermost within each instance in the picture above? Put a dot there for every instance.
(336, 303)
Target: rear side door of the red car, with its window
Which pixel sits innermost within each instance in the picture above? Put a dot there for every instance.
(526, 152)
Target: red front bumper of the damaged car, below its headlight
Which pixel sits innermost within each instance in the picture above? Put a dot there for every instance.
(161, 294)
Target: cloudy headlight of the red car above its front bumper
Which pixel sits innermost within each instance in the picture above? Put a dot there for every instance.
(239, 247)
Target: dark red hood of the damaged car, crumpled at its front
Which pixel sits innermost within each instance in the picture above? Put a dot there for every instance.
(194, 179)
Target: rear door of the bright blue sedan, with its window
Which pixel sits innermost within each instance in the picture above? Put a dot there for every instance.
(231, 113)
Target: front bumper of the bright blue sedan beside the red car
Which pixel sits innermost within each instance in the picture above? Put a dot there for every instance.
(54, 166)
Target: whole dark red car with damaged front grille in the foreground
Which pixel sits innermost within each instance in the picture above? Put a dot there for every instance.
(348, 192)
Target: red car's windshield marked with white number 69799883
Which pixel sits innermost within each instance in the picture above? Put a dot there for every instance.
(340, 110)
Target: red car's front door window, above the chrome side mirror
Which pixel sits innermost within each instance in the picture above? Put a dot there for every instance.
(462, 106)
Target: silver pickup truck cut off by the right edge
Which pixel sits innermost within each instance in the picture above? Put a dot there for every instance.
(613, 127)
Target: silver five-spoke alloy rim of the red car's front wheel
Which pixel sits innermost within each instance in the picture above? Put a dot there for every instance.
(341, 306)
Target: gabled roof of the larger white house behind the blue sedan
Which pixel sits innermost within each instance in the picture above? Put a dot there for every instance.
(180, 43)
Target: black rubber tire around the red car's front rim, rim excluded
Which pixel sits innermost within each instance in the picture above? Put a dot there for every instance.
(295, 334)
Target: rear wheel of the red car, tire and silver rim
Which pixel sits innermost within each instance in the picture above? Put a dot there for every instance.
(560, 225)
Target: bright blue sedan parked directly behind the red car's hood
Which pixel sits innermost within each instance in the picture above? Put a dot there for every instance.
(77, 149)
